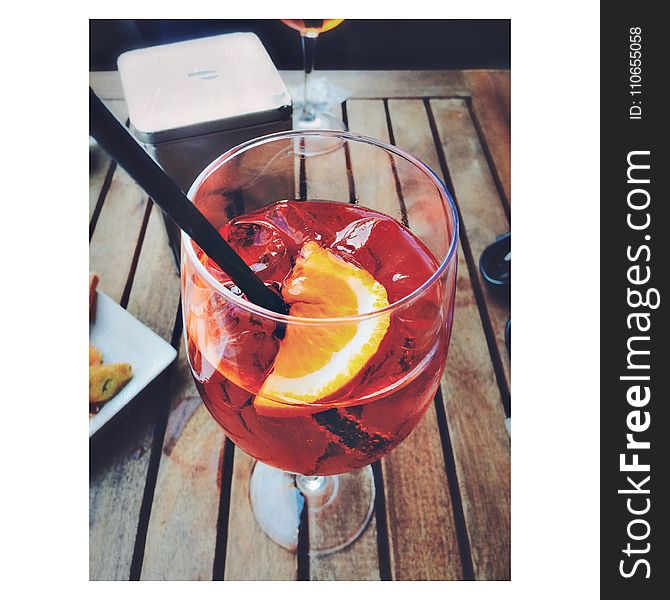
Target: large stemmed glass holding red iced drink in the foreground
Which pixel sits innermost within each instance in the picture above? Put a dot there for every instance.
(313, 469)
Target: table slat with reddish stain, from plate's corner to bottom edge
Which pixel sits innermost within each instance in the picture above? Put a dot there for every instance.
(181, 536)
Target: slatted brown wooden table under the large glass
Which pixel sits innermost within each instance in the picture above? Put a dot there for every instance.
(168, 491)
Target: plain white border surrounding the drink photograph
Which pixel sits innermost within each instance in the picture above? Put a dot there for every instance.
(555, 120)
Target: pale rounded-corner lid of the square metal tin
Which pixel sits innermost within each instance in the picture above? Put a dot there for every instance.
(201, 86)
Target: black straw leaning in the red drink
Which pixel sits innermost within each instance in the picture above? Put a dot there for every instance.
(127, 152)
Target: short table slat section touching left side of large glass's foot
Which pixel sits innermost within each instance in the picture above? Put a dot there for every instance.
(250, 554)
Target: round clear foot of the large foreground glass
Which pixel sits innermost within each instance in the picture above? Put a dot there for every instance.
(312, 515)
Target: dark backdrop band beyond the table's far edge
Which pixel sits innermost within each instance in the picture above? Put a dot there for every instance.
(355, 44)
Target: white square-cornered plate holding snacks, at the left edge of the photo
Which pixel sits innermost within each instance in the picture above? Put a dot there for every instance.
(122, 338)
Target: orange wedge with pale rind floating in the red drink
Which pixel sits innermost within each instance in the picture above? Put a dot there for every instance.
(315, 361)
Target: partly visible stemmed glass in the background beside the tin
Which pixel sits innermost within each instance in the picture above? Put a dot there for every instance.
(310, 117)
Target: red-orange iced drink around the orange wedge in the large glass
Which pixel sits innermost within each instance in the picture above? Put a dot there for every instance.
(232, 351)
